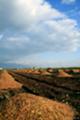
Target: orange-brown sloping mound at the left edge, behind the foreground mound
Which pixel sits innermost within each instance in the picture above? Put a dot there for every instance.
(7, 81)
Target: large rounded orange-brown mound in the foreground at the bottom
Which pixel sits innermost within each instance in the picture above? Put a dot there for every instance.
(30, 107)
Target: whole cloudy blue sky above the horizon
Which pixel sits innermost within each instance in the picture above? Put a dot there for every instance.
(40, 33)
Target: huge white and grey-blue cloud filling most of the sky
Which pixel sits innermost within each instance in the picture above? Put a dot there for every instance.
(30, 27)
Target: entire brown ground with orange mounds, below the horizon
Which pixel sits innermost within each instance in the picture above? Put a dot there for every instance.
(56, 96)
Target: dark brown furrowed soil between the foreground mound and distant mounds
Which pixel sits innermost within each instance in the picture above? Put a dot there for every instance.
(63, 89)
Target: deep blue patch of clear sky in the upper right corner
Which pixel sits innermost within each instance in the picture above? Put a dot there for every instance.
(72, 9)
